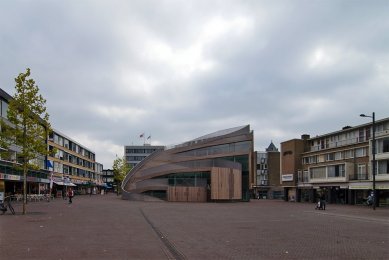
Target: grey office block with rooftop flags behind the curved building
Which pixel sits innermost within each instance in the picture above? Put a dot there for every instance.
(134, 154)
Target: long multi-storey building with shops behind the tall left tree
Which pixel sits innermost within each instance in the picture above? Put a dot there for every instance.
(73, 165)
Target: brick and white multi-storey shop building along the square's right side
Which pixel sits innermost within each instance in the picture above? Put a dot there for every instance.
(338, 165)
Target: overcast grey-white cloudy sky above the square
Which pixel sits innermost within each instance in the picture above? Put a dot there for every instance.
(177, 70)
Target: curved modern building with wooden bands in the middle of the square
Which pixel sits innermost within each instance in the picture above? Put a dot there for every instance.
(218, 166)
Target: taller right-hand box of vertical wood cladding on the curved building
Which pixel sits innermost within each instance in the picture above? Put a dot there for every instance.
(226, 184)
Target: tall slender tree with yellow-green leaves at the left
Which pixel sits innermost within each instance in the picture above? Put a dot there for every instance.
(27, 128)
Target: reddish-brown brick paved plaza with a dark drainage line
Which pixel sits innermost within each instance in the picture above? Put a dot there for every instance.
(106, 227)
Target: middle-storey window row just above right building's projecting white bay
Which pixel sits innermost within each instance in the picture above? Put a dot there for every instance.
(348, 154)
